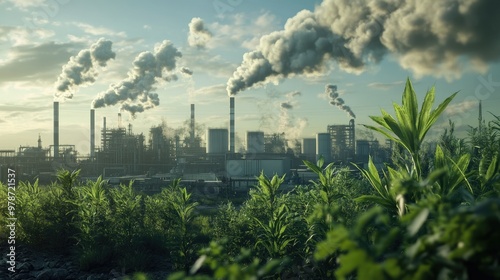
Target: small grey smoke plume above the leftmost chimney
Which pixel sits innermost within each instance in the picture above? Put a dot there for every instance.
(81, 69)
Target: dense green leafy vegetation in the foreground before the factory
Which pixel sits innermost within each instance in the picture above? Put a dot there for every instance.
(429, 214)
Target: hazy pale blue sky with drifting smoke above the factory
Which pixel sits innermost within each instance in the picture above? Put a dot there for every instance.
(294, 67)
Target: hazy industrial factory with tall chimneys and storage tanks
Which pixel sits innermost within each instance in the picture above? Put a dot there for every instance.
(123, 154)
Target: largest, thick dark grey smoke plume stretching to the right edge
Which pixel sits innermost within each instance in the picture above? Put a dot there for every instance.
(427, 37)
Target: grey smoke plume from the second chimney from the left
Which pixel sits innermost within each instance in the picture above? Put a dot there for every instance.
(135, 92)
